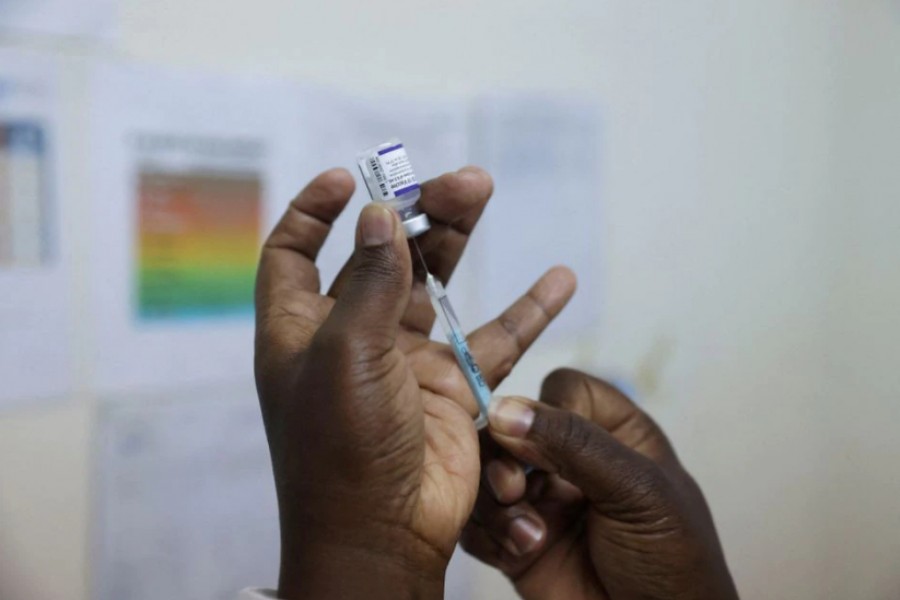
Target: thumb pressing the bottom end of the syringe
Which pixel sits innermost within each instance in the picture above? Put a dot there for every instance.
(580, 451)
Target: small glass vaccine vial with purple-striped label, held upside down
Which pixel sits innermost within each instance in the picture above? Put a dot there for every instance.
(390, 178)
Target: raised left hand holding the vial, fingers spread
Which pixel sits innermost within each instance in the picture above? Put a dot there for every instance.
(369, 423)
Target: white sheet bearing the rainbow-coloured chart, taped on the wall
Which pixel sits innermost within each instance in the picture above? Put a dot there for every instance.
(184, 166)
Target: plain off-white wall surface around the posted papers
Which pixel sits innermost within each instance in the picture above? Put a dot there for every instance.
(750, 239)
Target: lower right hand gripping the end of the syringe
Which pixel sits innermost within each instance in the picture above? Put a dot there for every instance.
(612, 515)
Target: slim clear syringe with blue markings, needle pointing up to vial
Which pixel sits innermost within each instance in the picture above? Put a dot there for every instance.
(457, 339)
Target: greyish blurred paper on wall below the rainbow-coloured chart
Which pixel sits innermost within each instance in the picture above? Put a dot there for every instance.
(185, 504)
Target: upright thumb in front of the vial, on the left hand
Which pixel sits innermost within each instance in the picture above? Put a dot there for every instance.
(375, 296)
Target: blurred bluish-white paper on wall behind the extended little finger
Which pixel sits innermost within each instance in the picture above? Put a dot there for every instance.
(543, 153)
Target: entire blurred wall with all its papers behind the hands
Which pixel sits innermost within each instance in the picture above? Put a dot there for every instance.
(722, 175)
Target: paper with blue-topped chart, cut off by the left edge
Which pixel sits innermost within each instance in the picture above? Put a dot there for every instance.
(35, 356)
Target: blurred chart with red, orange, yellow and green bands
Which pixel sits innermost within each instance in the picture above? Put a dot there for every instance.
(199, 222)
